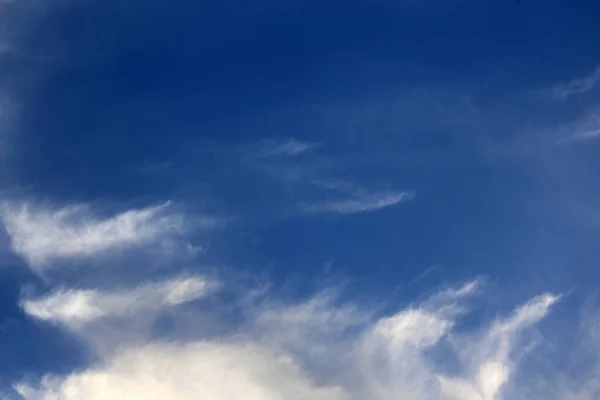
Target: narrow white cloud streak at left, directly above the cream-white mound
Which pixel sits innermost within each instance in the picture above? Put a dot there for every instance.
(76, 308)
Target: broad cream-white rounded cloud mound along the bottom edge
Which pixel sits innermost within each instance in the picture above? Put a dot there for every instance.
(203, 370)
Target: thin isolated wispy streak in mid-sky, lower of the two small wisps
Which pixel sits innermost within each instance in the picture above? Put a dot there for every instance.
(361, 203)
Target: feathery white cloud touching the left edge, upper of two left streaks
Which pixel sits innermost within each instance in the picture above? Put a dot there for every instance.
(41, 235)
